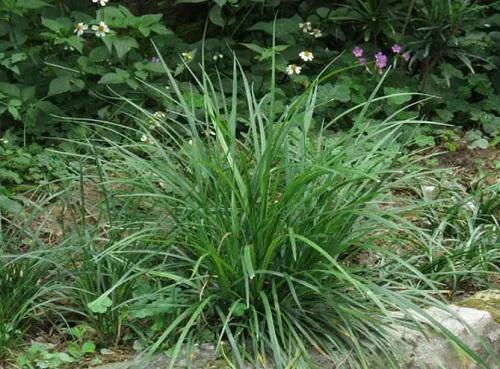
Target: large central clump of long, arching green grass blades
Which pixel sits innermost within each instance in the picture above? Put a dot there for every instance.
(263, 222)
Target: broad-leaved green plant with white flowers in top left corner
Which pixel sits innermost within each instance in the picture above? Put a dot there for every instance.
(75, 49)
